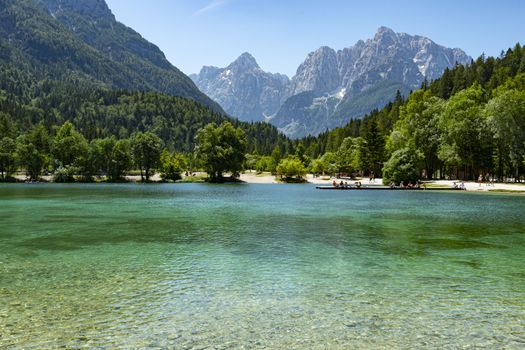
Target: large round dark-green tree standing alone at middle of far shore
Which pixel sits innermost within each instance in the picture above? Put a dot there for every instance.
(221, 149)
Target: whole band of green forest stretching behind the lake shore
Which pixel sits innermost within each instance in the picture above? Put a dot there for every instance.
(469, 122)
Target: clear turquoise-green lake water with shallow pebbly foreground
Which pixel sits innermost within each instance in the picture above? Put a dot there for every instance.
(259, 266)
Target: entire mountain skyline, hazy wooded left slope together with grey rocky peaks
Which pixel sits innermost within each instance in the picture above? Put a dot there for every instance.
(82, 43)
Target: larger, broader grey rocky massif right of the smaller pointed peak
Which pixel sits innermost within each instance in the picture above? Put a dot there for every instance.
(351, 82)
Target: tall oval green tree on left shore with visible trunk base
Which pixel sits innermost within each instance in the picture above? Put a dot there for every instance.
(145, 151)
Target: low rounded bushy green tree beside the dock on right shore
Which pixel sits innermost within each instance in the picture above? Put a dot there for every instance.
(403, 166)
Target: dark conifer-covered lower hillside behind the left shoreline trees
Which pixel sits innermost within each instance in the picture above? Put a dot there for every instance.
(98, 113)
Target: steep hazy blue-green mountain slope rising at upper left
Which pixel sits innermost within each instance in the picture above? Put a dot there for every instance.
(81, 40)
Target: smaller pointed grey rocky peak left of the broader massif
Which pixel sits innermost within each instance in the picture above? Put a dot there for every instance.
(243, 89)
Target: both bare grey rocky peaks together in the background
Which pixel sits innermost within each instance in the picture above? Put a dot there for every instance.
(330, 87)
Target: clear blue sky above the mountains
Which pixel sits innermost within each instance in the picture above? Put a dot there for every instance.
(280, 33)
